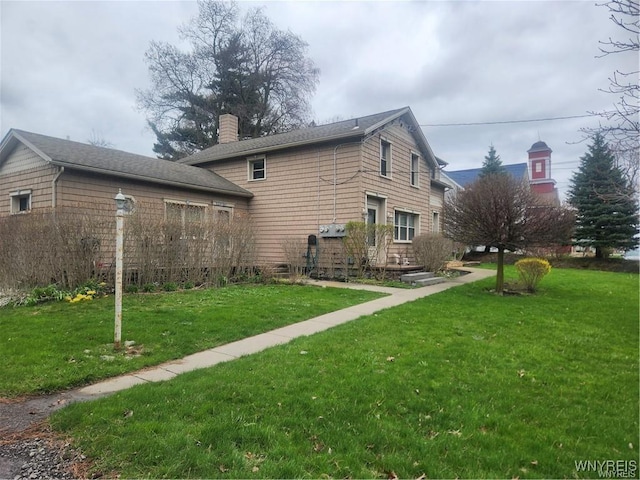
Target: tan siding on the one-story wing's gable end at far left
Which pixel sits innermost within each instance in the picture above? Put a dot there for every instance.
(24, 170)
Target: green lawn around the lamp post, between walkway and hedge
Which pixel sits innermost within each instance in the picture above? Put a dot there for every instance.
(56, 346)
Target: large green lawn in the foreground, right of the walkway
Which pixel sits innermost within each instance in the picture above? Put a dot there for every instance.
(459, 384)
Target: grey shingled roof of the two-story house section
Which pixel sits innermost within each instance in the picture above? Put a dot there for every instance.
(352, 128)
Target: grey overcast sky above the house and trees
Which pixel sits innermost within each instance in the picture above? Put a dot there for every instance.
(70, 69)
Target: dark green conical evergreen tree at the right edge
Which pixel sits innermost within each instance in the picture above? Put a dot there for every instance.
(606, 208)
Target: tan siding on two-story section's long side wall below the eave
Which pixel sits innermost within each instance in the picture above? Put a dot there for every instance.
(297, 194)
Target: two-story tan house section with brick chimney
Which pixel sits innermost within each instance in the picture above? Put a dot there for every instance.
(378, 169)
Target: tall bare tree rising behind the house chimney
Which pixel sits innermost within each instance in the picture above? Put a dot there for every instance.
(239, 65)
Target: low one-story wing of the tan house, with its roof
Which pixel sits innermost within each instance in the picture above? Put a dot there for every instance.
(40, 172)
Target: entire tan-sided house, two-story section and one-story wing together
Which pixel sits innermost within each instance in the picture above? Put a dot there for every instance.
(308, 182)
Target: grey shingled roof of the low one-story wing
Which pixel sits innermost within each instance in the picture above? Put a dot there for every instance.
(108, 161)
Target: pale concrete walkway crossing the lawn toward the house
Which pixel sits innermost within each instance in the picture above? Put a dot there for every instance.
(247, 346)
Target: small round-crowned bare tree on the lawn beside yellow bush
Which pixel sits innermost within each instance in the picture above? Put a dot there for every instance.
(503, 212)
